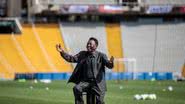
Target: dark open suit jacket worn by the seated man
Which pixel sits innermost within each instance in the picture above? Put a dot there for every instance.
(101, 61)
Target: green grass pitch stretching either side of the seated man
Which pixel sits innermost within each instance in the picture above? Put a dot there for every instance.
(13, 92)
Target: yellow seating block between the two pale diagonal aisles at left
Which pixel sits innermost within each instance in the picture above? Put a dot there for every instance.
(32, 50)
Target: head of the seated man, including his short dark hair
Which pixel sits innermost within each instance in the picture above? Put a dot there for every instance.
(92, 44)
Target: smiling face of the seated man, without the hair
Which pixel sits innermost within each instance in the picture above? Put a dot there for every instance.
(91, 46)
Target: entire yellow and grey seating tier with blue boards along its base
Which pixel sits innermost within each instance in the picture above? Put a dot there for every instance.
(142, 49)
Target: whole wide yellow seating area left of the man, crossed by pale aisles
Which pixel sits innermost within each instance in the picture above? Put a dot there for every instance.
(32, 51)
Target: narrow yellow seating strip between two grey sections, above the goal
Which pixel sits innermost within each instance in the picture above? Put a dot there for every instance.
(114, 44)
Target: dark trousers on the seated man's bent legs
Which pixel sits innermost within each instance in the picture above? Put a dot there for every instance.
(81, 87)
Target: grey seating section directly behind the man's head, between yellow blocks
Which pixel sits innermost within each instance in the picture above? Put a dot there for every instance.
(76, 35)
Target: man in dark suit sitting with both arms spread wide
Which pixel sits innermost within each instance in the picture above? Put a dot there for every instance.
(89, 73)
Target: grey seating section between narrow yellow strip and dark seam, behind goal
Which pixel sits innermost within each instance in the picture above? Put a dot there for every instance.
(138, 42)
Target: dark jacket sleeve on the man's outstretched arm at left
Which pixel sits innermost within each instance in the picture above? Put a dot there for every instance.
(70, 58)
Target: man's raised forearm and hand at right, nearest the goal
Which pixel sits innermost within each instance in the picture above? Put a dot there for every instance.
(108, 63)
